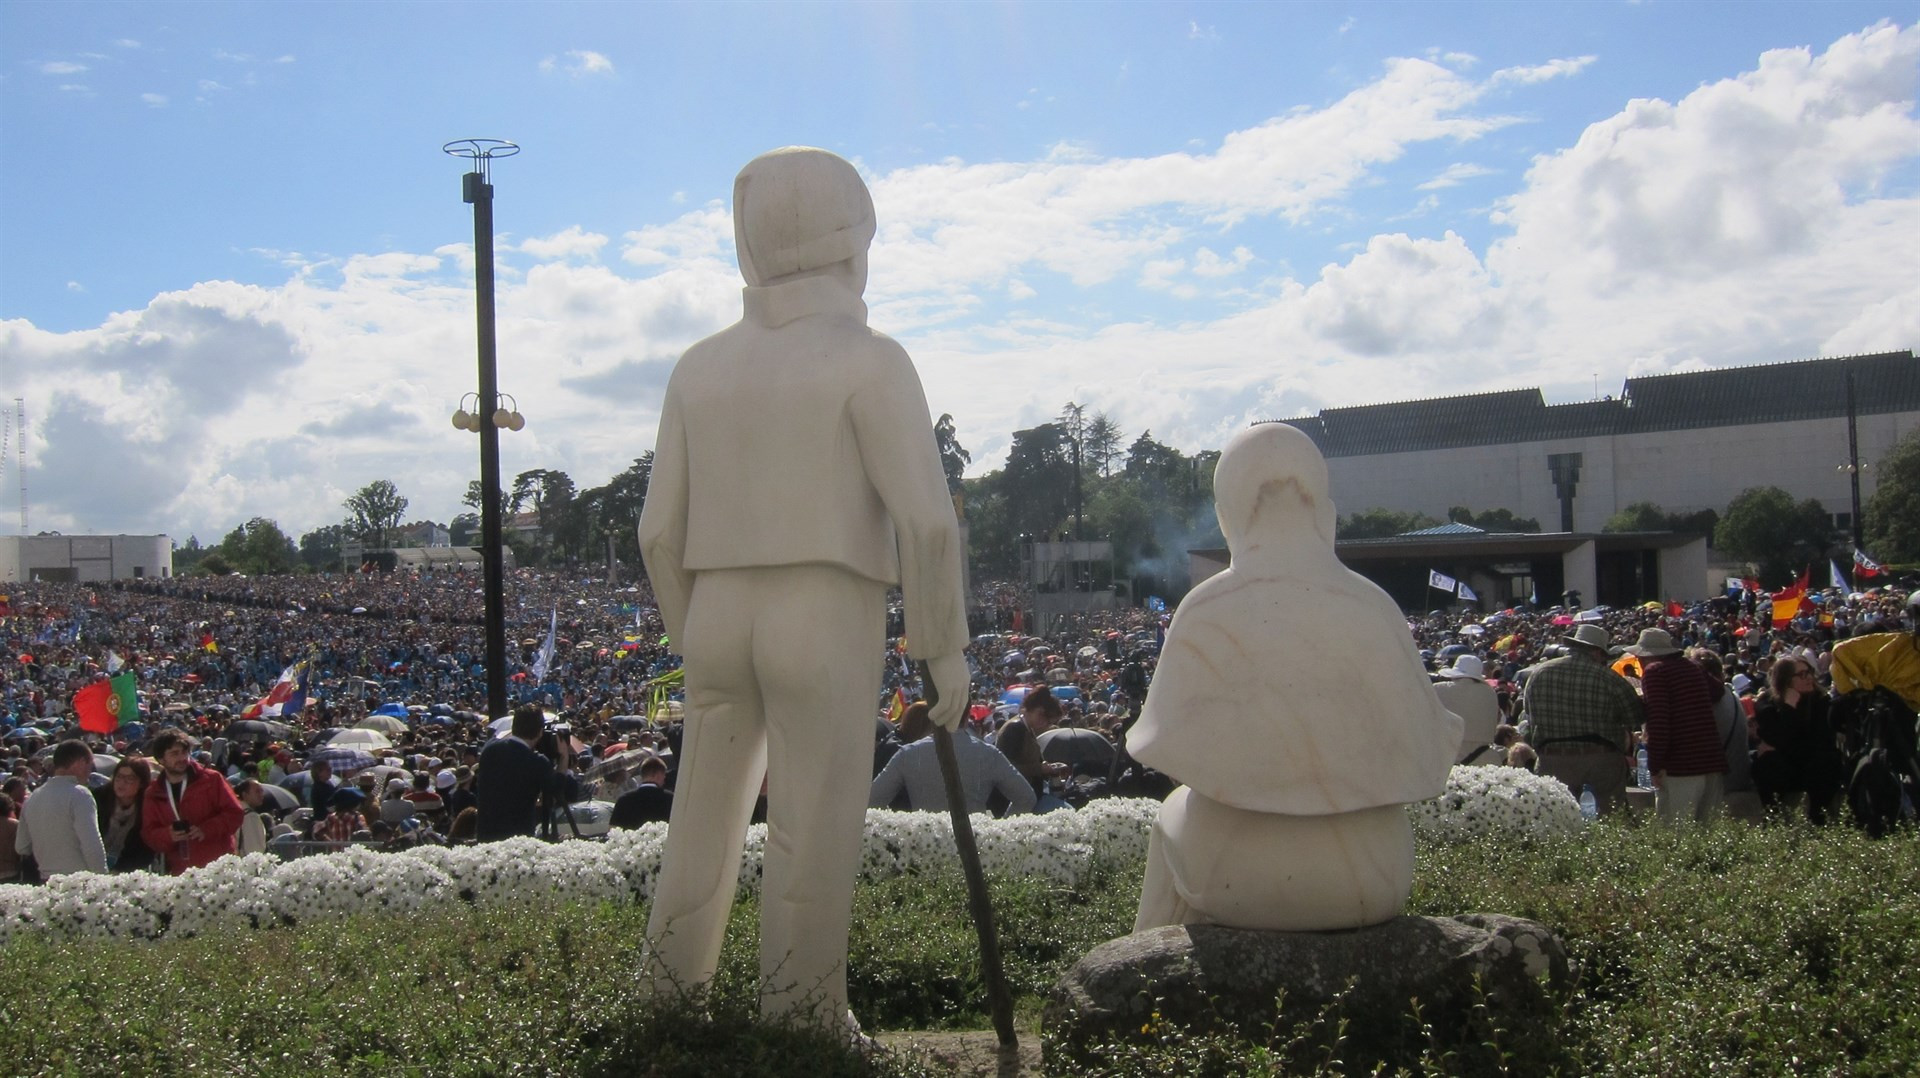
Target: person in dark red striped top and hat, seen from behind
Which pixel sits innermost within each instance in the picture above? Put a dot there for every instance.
(1685, 748)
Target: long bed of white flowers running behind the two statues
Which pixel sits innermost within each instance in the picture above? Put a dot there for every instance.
(262, 893)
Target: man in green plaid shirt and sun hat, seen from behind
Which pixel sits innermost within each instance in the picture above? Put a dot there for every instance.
(1583, 718)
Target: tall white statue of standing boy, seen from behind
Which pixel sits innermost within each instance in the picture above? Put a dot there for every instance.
(796, 479)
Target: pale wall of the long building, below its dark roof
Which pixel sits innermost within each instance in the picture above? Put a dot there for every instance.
(1679, 472)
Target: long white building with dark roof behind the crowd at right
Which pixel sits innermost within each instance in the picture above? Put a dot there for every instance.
(1683, 443)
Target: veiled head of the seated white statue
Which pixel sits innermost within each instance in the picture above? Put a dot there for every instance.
(1270, 493)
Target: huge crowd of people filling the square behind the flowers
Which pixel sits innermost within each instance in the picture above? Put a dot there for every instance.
(1712, 706)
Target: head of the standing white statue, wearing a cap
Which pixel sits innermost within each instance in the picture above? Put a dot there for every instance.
(798, 212)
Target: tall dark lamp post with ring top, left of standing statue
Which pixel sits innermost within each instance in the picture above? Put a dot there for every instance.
(477, 191)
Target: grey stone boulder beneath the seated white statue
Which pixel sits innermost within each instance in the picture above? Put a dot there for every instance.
(1477, 979)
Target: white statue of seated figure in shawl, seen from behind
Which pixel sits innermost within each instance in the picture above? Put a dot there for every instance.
(1297, 714)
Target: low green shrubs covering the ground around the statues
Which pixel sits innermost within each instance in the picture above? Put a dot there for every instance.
(1733, 950)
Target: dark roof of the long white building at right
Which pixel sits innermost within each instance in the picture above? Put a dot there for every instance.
(1769, 393)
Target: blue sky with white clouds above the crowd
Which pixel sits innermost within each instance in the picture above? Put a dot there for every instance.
(235, 276)
